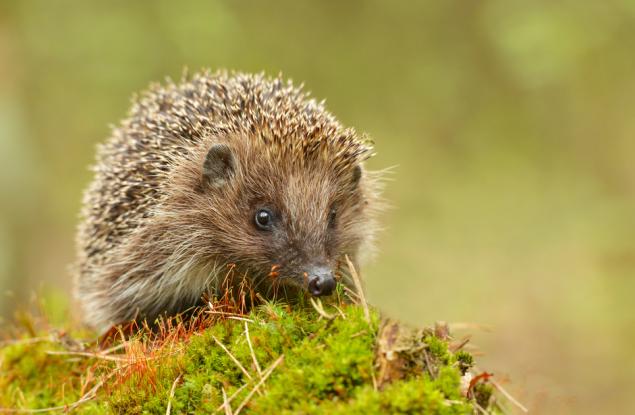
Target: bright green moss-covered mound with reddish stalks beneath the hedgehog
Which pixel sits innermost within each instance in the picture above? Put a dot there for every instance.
(274, 360)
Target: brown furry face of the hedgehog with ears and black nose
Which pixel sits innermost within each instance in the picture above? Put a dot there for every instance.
(292, 225)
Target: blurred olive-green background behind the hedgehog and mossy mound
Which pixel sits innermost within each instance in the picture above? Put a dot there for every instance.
(511, 125)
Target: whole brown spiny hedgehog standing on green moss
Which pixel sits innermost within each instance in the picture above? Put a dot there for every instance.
(218, 172)
